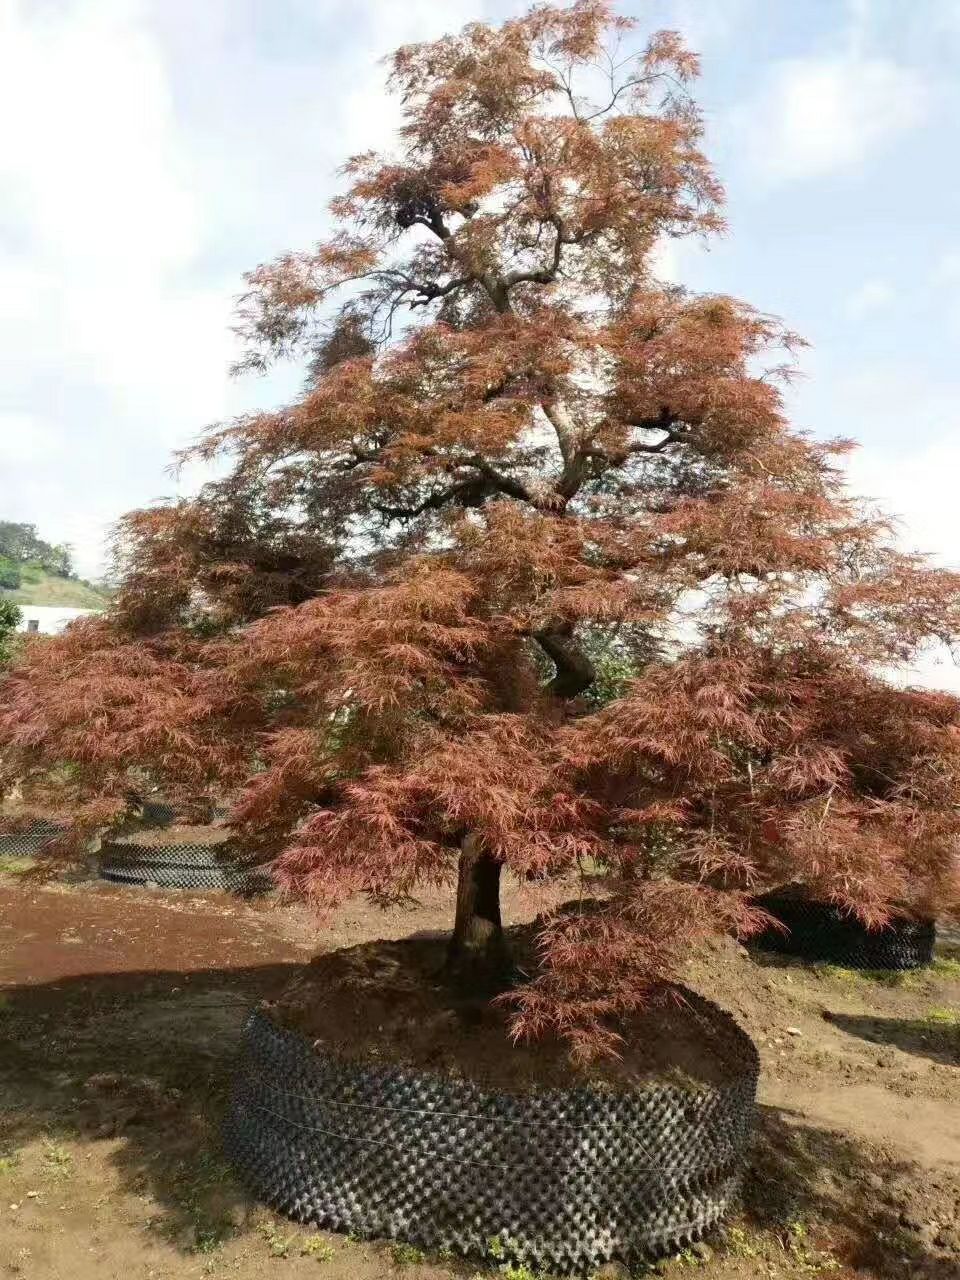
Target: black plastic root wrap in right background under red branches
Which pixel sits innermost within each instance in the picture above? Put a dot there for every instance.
(824, 934)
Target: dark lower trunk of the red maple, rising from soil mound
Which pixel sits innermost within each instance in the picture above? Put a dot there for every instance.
(478, 950)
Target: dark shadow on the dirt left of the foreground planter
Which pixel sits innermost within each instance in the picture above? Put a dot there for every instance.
(145, 1058)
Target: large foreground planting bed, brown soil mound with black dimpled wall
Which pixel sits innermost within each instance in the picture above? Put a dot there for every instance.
(372, 1100)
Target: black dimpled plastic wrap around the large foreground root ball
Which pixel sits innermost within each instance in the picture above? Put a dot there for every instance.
(565, 1180)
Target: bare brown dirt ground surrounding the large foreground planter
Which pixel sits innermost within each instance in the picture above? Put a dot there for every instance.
(121, 1014)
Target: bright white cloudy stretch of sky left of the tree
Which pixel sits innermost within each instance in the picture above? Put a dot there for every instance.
(149, 153)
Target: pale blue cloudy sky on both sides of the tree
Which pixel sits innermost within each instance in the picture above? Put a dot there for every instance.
(153, 150)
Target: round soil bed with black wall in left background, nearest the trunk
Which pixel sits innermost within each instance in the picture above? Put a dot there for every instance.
(182, 858)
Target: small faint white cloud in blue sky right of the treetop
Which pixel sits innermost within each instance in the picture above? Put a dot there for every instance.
(819, 116)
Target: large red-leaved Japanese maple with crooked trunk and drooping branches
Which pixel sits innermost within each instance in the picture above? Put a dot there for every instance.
(515, 450)
